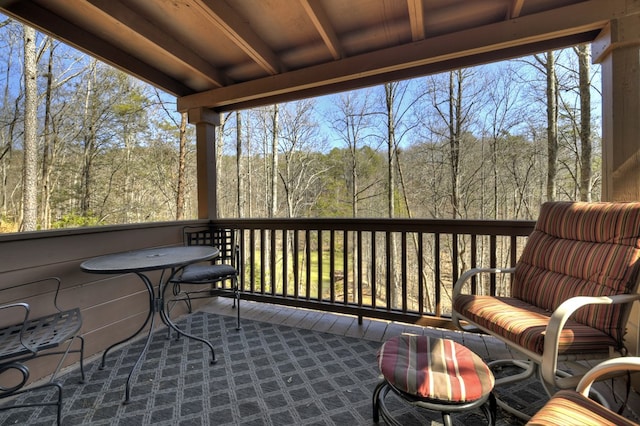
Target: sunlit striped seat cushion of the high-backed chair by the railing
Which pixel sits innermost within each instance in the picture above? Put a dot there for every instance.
(524, 324)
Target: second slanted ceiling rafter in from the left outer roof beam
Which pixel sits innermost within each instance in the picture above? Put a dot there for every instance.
(235, 29)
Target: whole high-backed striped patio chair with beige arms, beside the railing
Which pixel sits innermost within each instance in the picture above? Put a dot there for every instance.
(571, 292)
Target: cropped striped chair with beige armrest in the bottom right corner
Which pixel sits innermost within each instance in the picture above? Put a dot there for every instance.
(568, 407)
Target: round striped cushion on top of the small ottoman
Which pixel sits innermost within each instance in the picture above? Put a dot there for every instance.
(433, 368)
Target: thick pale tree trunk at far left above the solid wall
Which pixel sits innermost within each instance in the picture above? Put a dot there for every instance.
(30, 167)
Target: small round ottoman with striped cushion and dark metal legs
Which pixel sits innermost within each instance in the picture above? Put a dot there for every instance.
(436, 374)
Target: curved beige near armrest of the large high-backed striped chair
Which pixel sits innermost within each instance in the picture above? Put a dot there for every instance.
(560, 317)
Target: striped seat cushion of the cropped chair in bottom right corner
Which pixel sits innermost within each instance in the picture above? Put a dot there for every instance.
(571, 408)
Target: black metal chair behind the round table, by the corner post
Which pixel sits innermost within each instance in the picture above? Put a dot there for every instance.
(220, 276)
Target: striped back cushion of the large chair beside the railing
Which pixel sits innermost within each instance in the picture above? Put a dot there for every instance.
(582, 249)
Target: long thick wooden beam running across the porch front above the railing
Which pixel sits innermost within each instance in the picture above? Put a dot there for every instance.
(580, 18)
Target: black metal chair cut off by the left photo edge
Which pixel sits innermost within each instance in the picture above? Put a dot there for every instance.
(32, 337)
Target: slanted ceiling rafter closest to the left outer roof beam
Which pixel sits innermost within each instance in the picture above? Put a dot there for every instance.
(130, 19)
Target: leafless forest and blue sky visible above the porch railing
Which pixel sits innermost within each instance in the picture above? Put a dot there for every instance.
(83, 144)
